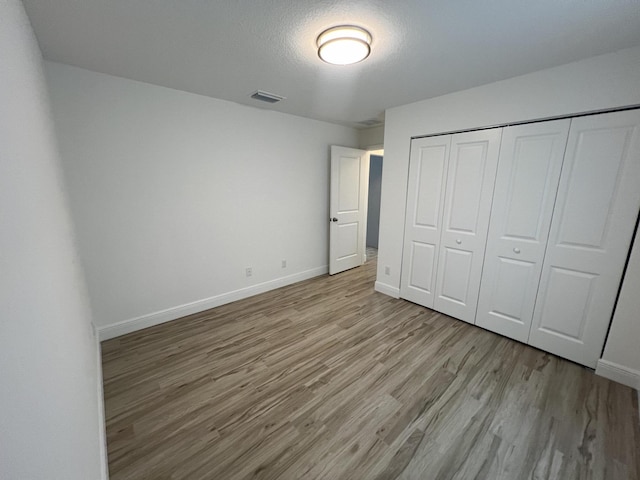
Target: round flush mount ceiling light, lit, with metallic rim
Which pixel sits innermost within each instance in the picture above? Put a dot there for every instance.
(344, 45)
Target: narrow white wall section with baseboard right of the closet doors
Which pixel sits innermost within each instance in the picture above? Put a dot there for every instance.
(621, 358)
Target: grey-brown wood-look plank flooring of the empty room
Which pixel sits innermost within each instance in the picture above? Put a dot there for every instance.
(327, 379)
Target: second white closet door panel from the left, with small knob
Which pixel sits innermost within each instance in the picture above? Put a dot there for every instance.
(470, 179)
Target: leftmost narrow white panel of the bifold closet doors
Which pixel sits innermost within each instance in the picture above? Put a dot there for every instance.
(425, 199)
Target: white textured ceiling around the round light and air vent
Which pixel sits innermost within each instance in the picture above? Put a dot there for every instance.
(421, 48)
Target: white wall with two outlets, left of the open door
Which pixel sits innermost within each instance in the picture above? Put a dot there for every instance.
(175, 194)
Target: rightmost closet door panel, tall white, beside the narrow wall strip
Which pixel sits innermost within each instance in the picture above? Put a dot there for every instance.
(593, 222)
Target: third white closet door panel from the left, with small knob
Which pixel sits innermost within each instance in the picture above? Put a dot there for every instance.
(526, 185)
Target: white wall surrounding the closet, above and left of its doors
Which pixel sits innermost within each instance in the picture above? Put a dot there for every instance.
(601, 82)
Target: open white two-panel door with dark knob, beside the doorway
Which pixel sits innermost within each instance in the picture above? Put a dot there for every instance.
(348, 208)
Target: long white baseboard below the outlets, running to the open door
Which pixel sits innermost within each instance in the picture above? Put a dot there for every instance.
(131, 325)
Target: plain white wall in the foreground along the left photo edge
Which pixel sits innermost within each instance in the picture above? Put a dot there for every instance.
(50, 408)
